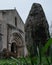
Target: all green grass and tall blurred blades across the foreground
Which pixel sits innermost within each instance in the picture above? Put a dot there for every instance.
(40, 59)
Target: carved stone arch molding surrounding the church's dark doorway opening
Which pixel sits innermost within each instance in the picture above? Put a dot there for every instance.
(18, 41)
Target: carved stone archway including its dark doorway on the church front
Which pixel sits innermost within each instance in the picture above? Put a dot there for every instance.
(17, 44)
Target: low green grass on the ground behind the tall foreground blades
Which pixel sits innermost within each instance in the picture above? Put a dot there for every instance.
(24, 61)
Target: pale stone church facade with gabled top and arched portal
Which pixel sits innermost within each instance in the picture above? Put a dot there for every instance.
(12, 35)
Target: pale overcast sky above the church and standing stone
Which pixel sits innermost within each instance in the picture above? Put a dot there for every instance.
(23, 7)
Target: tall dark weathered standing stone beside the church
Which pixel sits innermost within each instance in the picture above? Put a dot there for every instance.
(36, 28)
